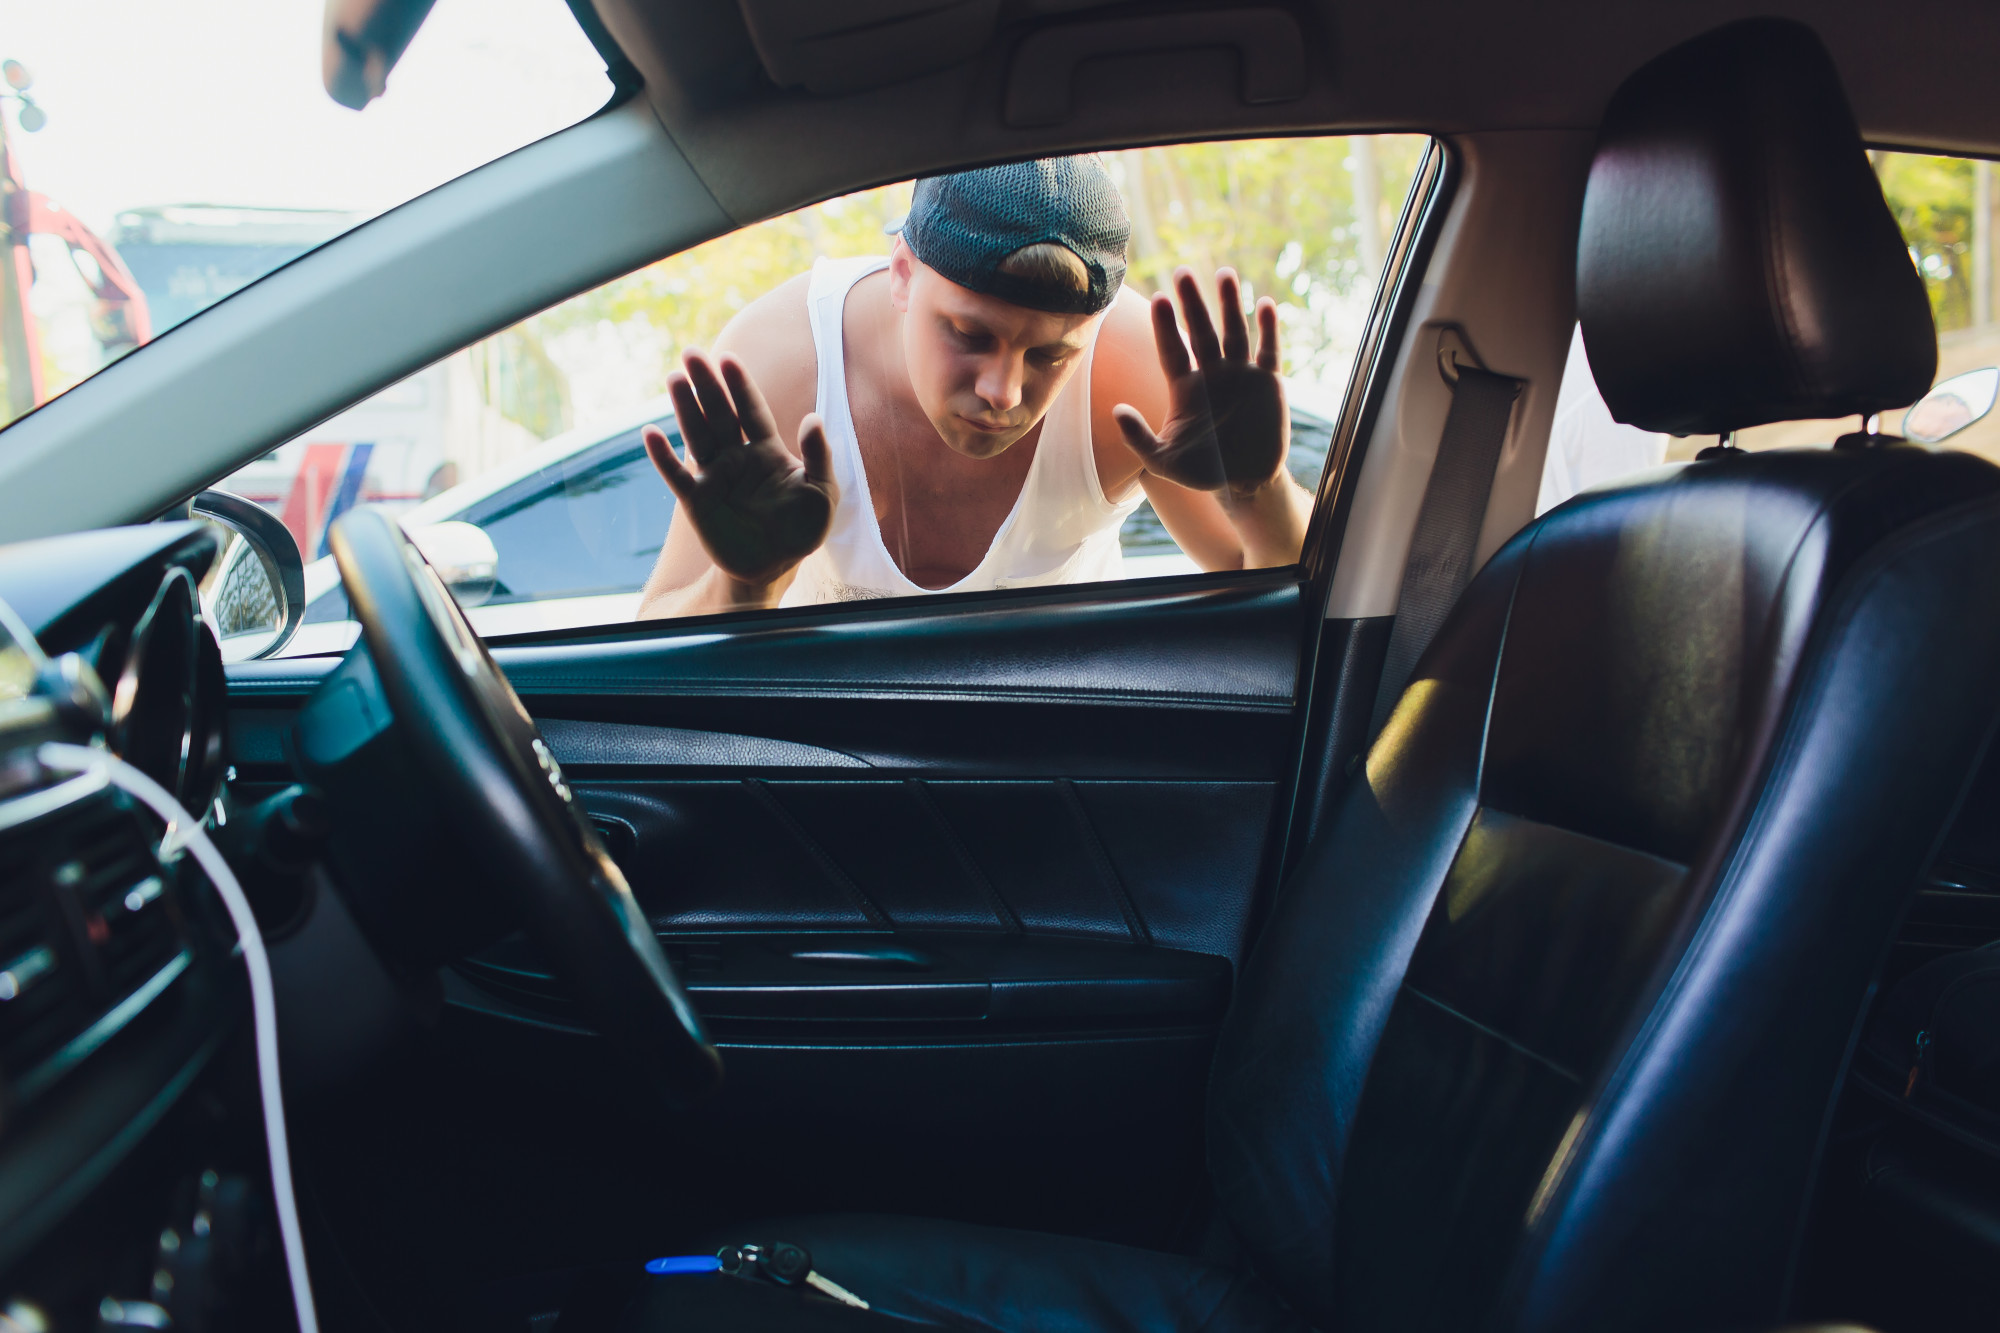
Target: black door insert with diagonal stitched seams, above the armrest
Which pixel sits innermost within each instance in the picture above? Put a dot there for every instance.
(1167, 864)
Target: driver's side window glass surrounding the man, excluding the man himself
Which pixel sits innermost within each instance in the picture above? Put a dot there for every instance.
(533, 433)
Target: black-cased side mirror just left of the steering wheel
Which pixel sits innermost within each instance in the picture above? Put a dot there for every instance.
(257, 591)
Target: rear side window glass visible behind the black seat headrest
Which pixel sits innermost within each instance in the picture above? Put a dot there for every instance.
(1945, 209)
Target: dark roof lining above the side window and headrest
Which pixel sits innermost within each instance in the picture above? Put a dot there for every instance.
(1915, 73)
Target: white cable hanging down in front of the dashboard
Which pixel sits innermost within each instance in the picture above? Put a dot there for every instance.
(263, 1002)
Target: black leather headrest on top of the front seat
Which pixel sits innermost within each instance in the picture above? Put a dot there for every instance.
(1737, 263)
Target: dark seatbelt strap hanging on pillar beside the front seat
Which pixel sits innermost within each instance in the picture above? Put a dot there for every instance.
(1447, 525)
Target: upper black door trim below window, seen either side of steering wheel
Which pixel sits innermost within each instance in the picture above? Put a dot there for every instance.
(1187, 680)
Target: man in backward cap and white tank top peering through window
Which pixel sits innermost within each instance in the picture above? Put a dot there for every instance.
(973, 413)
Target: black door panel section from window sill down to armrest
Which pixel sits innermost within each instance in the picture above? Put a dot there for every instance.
(1093, 766)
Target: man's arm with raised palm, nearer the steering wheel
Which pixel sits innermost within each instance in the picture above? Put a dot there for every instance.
(761, 477)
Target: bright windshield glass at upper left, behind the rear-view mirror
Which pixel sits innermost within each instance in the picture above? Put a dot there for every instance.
(159, 157)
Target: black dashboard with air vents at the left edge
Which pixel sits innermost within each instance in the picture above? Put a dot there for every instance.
(133, 1176)
